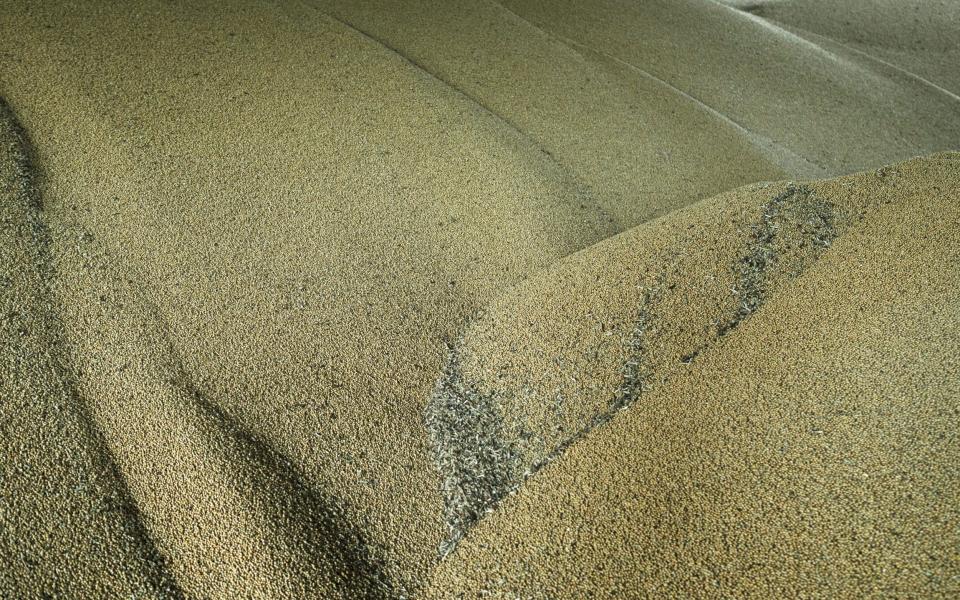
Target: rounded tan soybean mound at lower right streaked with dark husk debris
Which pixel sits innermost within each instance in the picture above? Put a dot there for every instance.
(755, 395)
